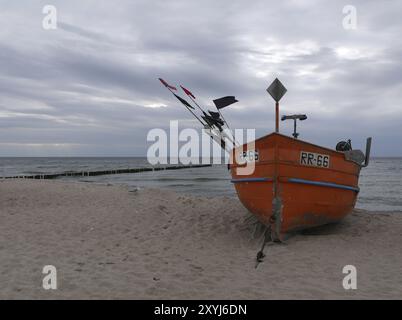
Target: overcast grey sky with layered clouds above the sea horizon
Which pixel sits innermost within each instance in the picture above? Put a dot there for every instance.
(90, 88)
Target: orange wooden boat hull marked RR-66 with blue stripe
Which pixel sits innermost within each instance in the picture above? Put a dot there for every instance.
(288, 190)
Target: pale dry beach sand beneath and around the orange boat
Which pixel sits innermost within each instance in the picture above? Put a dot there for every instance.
(109, 242)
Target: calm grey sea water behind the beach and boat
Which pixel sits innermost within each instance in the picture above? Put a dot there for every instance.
(380, 182)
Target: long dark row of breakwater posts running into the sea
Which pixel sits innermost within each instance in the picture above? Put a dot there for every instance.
(104, 172)
